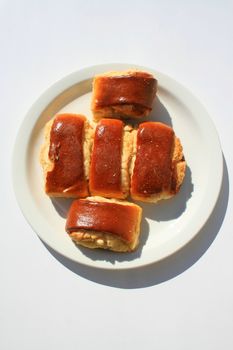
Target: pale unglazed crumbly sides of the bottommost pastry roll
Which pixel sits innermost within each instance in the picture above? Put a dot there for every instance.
(105, 240)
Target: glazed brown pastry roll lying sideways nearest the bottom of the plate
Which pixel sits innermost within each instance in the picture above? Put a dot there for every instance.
(97, 222)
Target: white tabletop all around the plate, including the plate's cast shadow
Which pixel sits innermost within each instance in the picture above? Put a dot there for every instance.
(183, 303)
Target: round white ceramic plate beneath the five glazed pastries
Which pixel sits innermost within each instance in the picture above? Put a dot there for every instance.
(166, 226)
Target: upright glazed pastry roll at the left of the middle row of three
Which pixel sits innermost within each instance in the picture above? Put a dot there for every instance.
(65, 156)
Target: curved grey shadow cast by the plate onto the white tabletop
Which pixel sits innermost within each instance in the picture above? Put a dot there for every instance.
(166, 269)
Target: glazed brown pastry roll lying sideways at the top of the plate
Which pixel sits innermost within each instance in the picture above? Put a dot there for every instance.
(123, 94)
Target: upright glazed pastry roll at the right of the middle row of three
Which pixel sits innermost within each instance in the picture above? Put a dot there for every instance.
(158, 166)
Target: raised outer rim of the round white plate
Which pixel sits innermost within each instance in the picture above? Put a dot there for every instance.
(41, 103)
